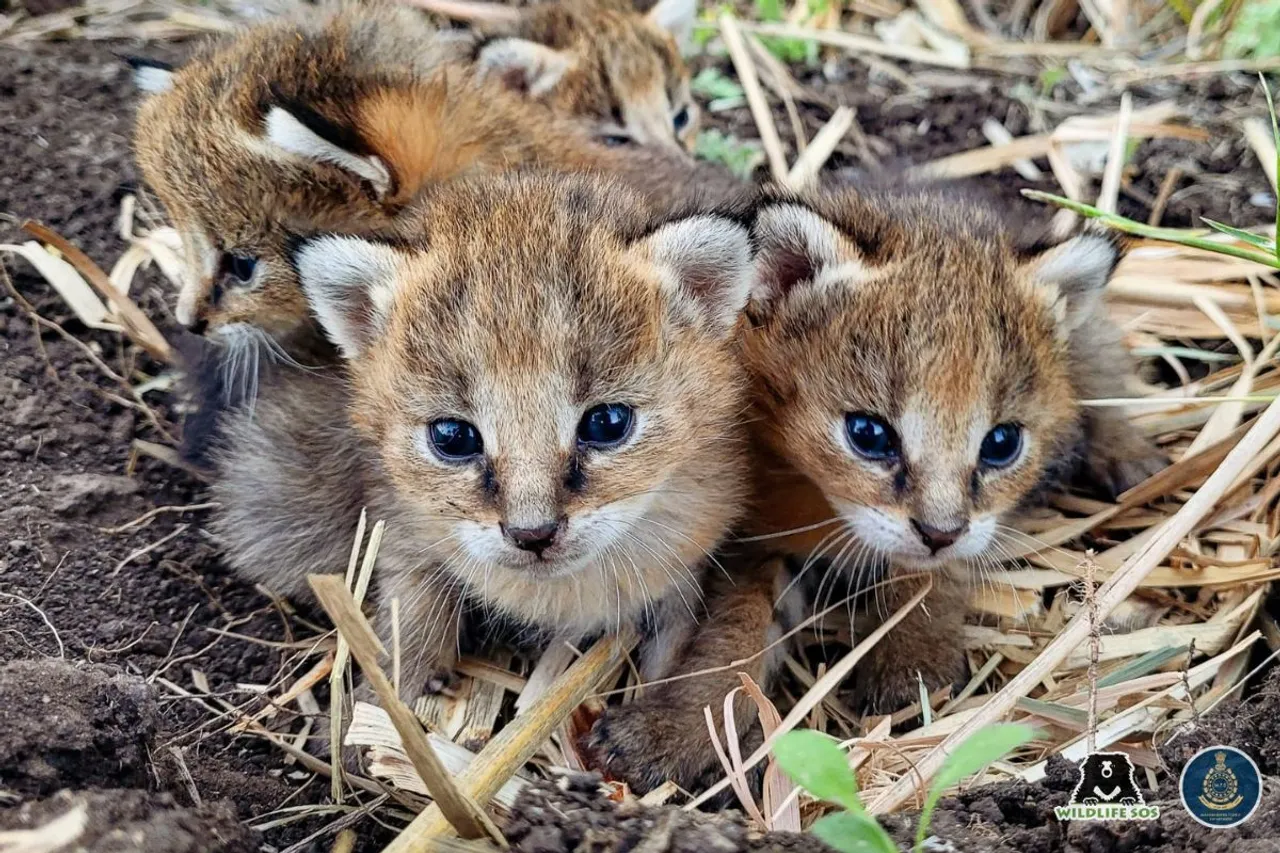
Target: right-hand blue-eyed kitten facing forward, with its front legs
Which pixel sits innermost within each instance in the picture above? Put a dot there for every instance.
(917, 377)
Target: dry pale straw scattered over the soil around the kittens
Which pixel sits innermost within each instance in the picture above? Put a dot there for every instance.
(1185, 562)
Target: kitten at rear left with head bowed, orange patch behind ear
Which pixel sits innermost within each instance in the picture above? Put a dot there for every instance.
(336, 126)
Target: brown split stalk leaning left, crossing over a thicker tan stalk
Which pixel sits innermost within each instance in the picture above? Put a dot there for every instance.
(467, 818)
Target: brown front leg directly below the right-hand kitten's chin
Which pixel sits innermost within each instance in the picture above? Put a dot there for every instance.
(926, 642)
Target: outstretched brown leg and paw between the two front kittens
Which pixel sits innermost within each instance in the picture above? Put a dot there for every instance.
(664, 735)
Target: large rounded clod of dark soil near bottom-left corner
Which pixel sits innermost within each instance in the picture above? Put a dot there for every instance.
(72, 727)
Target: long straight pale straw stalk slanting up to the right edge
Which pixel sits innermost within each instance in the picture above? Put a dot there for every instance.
(1119, 587)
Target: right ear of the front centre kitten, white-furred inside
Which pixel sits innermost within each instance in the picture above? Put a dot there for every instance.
(706, 266)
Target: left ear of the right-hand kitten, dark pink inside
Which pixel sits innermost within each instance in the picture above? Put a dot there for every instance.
(796, 248)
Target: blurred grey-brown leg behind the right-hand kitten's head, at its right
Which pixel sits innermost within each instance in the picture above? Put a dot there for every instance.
(1118, 457)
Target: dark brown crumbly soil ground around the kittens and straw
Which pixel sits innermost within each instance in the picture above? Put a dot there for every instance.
(100, 628)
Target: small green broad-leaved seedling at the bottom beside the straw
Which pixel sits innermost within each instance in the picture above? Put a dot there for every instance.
(819, 765)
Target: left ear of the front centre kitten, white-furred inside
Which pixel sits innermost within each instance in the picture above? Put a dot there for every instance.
(350, 285)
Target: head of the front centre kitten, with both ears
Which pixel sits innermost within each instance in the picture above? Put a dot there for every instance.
(550, 394)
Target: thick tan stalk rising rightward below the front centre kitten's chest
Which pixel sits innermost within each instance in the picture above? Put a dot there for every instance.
(518, 742)
